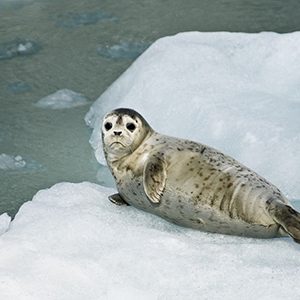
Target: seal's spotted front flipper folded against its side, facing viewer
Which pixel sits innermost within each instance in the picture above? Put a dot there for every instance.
(154, 178)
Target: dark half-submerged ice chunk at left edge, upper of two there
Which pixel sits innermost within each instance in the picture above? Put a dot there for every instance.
(18, 47)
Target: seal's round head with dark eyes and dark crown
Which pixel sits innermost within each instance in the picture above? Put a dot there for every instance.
(123, 130)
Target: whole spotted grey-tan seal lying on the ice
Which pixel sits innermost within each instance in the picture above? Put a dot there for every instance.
(191, 184)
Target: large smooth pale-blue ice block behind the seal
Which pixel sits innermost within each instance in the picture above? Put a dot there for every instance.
(237, 92)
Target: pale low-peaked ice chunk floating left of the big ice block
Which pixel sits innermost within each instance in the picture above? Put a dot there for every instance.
(62, 99)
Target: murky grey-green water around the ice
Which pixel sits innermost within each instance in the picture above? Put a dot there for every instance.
(84, 46)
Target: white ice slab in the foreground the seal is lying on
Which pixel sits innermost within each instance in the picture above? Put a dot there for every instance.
(70, 242)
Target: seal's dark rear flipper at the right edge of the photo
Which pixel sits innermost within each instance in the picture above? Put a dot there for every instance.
(285, 216)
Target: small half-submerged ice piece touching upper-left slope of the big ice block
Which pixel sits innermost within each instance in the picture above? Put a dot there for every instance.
(127, 50)
